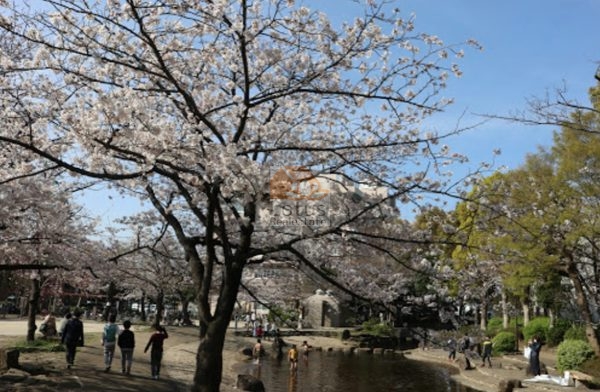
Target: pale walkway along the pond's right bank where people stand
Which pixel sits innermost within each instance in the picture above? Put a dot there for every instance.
(508, 367)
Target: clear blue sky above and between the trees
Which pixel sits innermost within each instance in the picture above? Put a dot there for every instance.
(530, 47)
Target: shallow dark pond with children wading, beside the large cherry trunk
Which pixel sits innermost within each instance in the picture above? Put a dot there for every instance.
(338, 372)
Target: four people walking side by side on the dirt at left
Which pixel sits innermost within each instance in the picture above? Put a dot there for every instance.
(71, 335)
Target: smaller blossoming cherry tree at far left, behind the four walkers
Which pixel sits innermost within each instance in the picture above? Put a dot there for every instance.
(42, 236)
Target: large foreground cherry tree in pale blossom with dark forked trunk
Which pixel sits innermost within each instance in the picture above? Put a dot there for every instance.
(196, 106)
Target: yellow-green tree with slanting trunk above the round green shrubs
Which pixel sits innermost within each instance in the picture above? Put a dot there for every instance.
(552, 210)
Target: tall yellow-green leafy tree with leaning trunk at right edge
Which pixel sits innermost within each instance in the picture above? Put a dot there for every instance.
(561, 198)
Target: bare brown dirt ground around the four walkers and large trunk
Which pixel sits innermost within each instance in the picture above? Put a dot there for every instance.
(88, 374)
